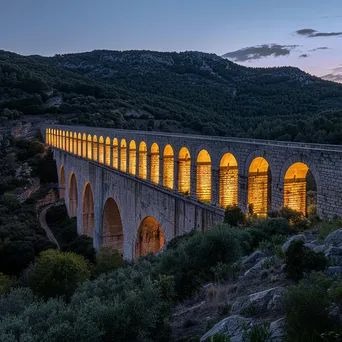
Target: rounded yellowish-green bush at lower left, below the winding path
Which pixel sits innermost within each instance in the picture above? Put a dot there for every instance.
(56, 273)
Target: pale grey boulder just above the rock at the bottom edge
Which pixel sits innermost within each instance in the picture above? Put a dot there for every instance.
(267, 300)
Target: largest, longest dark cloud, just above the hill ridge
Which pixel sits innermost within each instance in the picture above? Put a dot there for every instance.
(259, 51)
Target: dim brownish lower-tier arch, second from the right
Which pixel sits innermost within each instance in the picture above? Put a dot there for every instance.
(112, 226)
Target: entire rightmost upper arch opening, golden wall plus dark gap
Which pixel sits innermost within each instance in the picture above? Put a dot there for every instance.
(300, 189)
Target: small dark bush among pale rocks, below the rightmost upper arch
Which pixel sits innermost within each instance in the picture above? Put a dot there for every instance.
(300, 259)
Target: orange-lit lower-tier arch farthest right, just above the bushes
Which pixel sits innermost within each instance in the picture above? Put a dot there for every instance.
(150, 237)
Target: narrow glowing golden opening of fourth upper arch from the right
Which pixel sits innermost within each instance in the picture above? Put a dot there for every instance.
(203, 177)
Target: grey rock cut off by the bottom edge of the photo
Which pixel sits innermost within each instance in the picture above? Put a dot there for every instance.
(231, 326)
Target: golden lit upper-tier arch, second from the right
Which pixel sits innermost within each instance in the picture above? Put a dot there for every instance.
(259, 187)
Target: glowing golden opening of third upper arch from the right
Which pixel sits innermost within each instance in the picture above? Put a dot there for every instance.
(228, 181)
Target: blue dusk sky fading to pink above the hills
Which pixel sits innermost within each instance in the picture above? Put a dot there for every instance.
(302, 33)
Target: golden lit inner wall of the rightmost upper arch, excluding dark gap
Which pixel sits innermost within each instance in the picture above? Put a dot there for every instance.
(295, 187)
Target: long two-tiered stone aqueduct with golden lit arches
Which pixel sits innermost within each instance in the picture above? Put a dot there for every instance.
(134, 190)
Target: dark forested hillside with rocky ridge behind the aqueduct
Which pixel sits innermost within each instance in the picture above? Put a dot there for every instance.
(189, 92)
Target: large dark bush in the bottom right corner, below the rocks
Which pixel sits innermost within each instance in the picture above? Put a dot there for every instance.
(307, 309)
